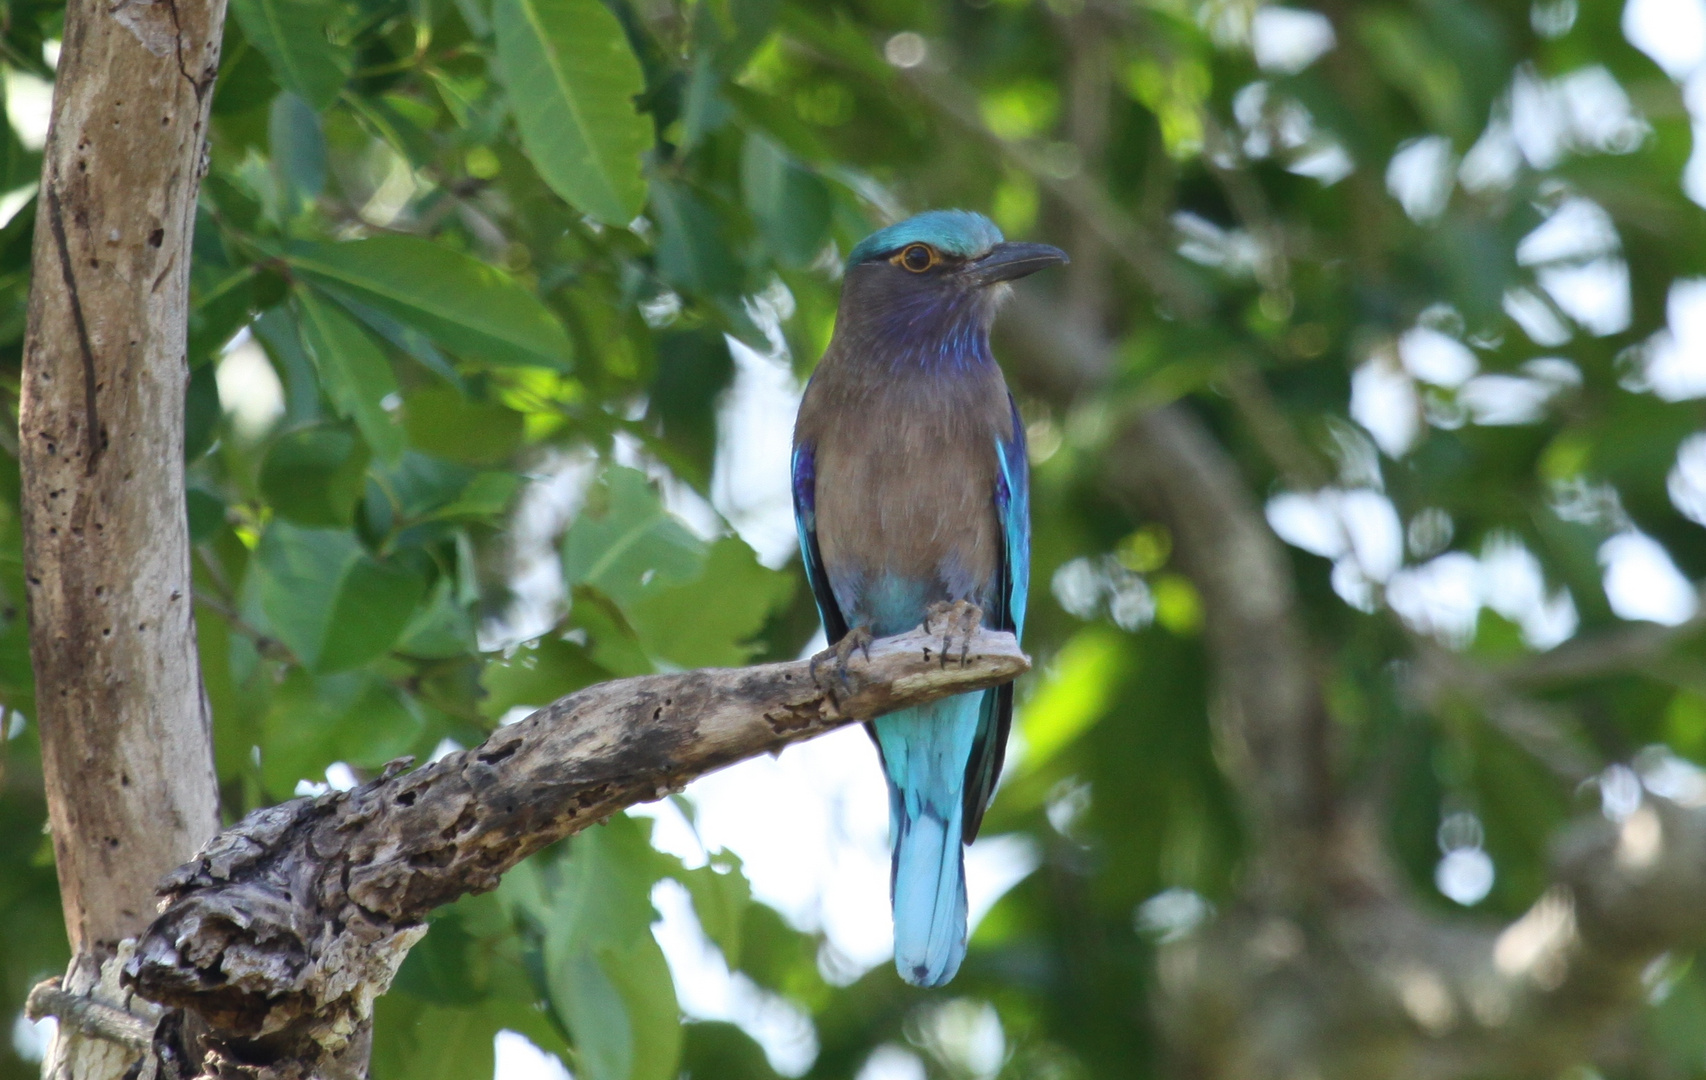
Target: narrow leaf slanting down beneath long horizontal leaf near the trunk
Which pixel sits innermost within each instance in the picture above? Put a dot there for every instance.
(354, 373)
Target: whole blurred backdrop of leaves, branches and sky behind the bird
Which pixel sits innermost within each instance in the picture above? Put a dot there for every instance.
(1371, 475)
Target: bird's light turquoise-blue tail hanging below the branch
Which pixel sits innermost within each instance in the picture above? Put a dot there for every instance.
(926, 752)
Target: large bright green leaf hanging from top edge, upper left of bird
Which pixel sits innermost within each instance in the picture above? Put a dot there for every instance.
(572, 81)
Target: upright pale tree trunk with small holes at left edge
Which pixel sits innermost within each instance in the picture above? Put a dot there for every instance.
(127, 750)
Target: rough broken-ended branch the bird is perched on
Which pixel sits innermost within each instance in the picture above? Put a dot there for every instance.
(284, 929)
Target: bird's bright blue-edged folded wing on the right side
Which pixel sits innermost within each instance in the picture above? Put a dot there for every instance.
(1013, 508)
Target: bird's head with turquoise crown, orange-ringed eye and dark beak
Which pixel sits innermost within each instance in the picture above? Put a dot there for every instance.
(934, 277)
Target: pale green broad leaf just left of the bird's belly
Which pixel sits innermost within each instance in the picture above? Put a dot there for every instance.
(625, 540)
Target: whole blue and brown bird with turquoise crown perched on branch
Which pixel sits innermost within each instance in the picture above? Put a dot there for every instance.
(912, 497)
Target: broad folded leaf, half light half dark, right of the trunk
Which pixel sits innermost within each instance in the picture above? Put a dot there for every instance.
(330, 601)
